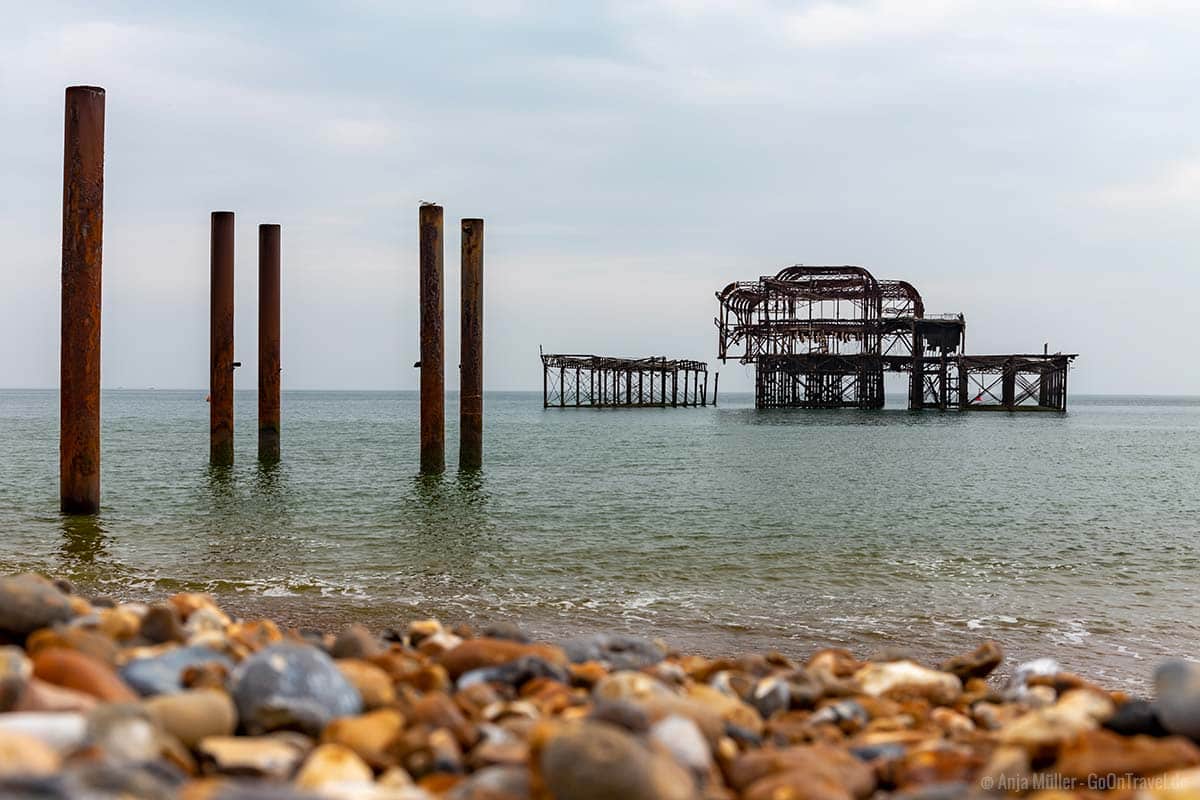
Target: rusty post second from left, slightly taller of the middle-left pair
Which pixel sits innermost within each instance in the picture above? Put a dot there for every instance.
(221, 341)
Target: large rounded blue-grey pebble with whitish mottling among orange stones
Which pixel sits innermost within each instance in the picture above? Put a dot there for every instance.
(292, 687)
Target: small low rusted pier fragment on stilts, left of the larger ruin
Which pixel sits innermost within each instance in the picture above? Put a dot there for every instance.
(602, 382)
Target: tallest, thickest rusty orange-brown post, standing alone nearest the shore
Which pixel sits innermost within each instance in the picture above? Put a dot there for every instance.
(83, 214)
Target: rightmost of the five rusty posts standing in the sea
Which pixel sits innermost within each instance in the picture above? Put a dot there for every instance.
(471, 395)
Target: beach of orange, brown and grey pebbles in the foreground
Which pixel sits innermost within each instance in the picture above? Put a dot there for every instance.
(177, 699)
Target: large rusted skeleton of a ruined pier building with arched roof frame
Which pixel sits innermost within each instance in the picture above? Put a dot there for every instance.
(824, 336)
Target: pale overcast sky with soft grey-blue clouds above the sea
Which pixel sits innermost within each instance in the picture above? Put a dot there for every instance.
(1031, 164)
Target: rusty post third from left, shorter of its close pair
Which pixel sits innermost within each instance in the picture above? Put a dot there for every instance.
(268, 344)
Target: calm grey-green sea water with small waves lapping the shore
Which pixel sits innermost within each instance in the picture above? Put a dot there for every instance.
(719, 530)
